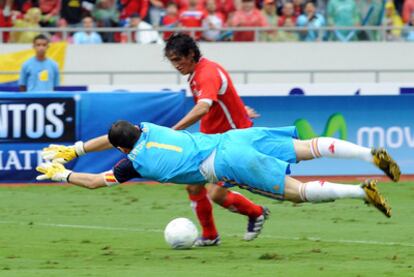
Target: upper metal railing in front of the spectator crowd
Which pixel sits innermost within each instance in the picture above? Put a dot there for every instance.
(382, 31)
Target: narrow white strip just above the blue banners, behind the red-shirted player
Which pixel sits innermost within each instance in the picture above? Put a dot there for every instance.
(320, 89)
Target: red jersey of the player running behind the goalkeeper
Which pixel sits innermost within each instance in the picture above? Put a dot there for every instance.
(211, 83)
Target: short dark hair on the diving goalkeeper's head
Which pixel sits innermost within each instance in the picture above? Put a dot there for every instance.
(123, 134)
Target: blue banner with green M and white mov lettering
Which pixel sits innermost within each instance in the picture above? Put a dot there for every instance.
(371, 121)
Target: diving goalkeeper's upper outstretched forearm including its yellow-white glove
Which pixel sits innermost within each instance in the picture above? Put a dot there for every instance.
(63, 154)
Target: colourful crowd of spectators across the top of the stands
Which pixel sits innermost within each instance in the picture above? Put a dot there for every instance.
(146, 16)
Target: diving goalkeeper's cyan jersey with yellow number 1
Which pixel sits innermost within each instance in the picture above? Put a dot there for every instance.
(165, 155)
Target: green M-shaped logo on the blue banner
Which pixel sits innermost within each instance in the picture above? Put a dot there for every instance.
(335, 124)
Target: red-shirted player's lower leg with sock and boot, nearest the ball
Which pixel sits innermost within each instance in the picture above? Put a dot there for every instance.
(204, 212)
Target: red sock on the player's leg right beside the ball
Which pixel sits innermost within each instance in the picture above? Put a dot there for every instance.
(204, 211)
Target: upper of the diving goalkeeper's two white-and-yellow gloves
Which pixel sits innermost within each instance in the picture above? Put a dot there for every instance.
(63, 154)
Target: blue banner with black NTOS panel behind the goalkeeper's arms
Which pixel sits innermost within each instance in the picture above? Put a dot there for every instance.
(31, 121)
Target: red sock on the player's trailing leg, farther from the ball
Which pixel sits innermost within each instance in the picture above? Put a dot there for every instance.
(238, 203)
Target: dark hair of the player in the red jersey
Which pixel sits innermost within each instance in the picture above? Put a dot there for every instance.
(182, 45)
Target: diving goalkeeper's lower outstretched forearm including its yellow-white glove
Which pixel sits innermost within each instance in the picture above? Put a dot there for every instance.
(57, 172)
